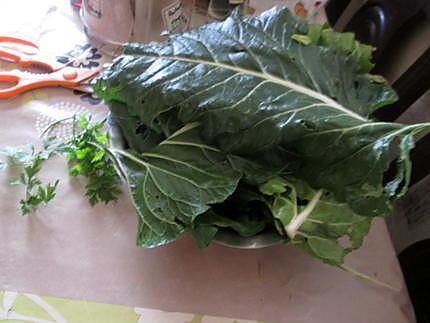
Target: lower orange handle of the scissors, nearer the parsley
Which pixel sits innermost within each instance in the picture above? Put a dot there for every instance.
(69, 77)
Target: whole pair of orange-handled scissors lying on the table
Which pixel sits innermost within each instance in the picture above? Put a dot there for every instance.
(59, 74)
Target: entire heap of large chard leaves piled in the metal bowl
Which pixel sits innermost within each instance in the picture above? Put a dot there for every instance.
(257, 124)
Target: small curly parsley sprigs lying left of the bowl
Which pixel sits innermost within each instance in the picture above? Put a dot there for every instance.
(86, 152)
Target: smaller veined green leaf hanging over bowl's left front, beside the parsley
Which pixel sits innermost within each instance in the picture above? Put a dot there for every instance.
(175, 182)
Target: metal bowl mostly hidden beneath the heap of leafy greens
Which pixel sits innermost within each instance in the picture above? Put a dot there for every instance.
(223, 237)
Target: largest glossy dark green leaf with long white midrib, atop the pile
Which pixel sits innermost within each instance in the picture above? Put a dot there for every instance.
(255, 88)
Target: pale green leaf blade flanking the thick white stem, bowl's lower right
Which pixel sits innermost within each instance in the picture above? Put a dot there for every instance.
(331, 231)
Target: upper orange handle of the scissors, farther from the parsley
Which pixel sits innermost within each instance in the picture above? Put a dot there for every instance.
(26, 60)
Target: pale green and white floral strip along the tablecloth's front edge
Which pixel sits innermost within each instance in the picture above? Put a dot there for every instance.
(26, 307)
